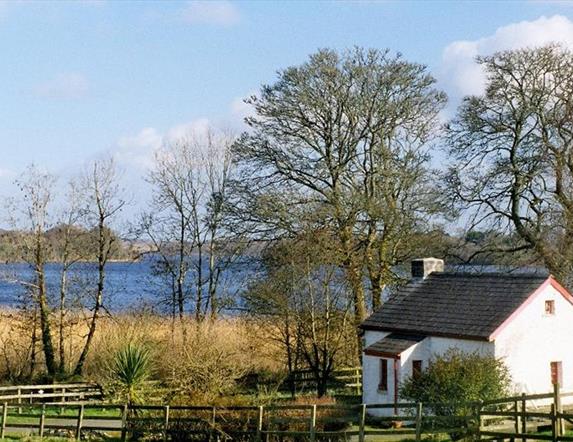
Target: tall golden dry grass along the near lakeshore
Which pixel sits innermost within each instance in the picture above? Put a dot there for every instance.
(192, 362)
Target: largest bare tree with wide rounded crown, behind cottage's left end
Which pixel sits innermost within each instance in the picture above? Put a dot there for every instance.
(340, 143)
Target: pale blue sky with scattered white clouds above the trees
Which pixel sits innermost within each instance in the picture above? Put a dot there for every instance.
(80, 79)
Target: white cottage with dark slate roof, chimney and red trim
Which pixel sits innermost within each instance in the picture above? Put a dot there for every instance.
(525, 319)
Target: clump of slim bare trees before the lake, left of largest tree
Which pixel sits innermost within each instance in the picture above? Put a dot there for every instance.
(190, 181)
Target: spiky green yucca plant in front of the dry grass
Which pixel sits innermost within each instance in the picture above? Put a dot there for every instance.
(131, 367)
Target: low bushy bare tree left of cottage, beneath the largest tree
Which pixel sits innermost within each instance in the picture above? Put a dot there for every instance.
(303, 298)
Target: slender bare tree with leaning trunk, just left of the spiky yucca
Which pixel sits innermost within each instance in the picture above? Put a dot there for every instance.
(104, 196)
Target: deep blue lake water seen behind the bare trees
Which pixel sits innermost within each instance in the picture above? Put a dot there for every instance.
(128, 285)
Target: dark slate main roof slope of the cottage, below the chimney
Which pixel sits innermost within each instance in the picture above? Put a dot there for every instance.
(461, 305)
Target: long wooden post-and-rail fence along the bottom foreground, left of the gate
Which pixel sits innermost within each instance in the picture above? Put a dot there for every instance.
(269, 423)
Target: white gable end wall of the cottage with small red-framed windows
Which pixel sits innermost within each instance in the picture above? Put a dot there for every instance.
(533, 339)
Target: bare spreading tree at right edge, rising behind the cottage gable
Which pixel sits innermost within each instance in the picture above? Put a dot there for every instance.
(512, 151)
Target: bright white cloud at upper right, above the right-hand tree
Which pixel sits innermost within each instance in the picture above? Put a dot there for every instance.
(462, 76)
